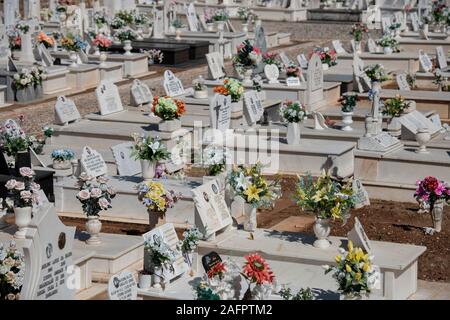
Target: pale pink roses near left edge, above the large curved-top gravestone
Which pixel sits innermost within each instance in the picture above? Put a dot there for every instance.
(24, 193)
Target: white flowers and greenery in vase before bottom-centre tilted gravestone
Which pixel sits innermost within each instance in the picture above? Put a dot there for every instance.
(161, 257)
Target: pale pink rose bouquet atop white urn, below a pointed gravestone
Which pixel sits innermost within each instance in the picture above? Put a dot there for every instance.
(95, 195)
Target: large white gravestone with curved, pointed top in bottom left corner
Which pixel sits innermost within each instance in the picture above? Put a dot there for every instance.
(50, 273)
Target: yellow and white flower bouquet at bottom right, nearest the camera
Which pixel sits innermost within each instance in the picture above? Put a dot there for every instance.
(354, 273)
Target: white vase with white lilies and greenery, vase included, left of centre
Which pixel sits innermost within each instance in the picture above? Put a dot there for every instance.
(149, 151)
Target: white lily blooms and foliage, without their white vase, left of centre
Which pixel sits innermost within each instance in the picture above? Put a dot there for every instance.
(148, 148)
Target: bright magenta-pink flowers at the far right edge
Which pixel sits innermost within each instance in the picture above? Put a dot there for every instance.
(430, 190)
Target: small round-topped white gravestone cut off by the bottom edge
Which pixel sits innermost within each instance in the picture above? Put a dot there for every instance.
(122, 286)
